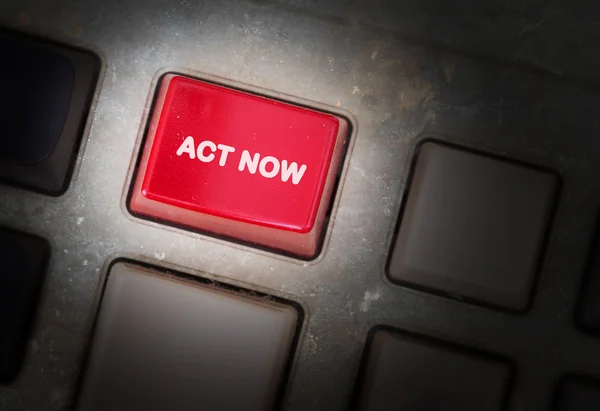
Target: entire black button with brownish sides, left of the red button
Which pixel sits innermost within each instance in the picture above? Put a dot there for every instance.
(44, 103)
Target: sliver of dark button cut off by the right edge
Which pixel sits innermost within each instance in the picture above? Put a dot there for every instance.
(589, 308)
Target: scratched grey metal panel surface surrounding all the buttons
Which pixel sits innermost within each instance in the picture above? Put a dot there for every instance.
(514, 77)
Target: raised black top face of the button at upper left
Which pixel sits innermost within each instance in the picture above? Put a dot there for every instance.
(36, 100)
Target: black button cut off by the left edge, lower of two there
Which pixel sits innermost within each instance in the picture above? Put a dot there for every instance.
(24, 258)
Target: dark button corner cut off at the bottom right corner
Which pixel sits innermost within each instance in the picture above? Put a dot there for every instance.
(577, 394)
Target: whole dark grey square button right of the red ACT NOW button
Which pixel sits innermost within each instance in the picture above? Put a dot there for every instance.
(473, 226)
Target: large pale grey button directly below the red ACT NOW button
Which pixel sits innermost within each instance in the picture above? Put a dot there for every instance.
(164, 344)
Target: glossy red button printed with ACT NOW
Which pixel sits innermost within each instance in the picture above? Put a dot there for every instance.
(239, 165)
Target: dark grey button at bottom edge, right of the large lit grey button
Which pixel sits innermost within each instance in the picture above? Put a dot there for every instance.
(404, 372)
